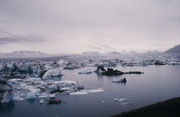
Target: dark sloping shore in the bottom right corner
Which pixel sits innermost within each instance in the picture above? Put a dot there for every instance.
(168, 108)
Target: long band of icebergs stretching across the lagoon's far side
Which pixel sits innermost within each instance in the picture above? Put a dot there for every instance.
(45, 69)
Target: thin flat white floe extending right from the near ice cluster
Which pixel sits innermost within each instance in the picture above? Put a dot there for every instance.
(85, 92)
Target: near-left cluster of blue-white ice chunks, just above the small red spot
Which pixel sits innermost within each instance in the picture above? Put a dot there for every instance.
(36, 88)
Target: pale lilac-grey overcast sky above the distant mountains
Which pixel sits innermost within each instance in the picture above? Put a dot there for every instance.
(74, 26)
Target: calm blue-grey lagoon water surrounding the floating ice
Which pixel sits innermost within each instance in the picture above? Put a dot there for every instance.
(159, 83)
